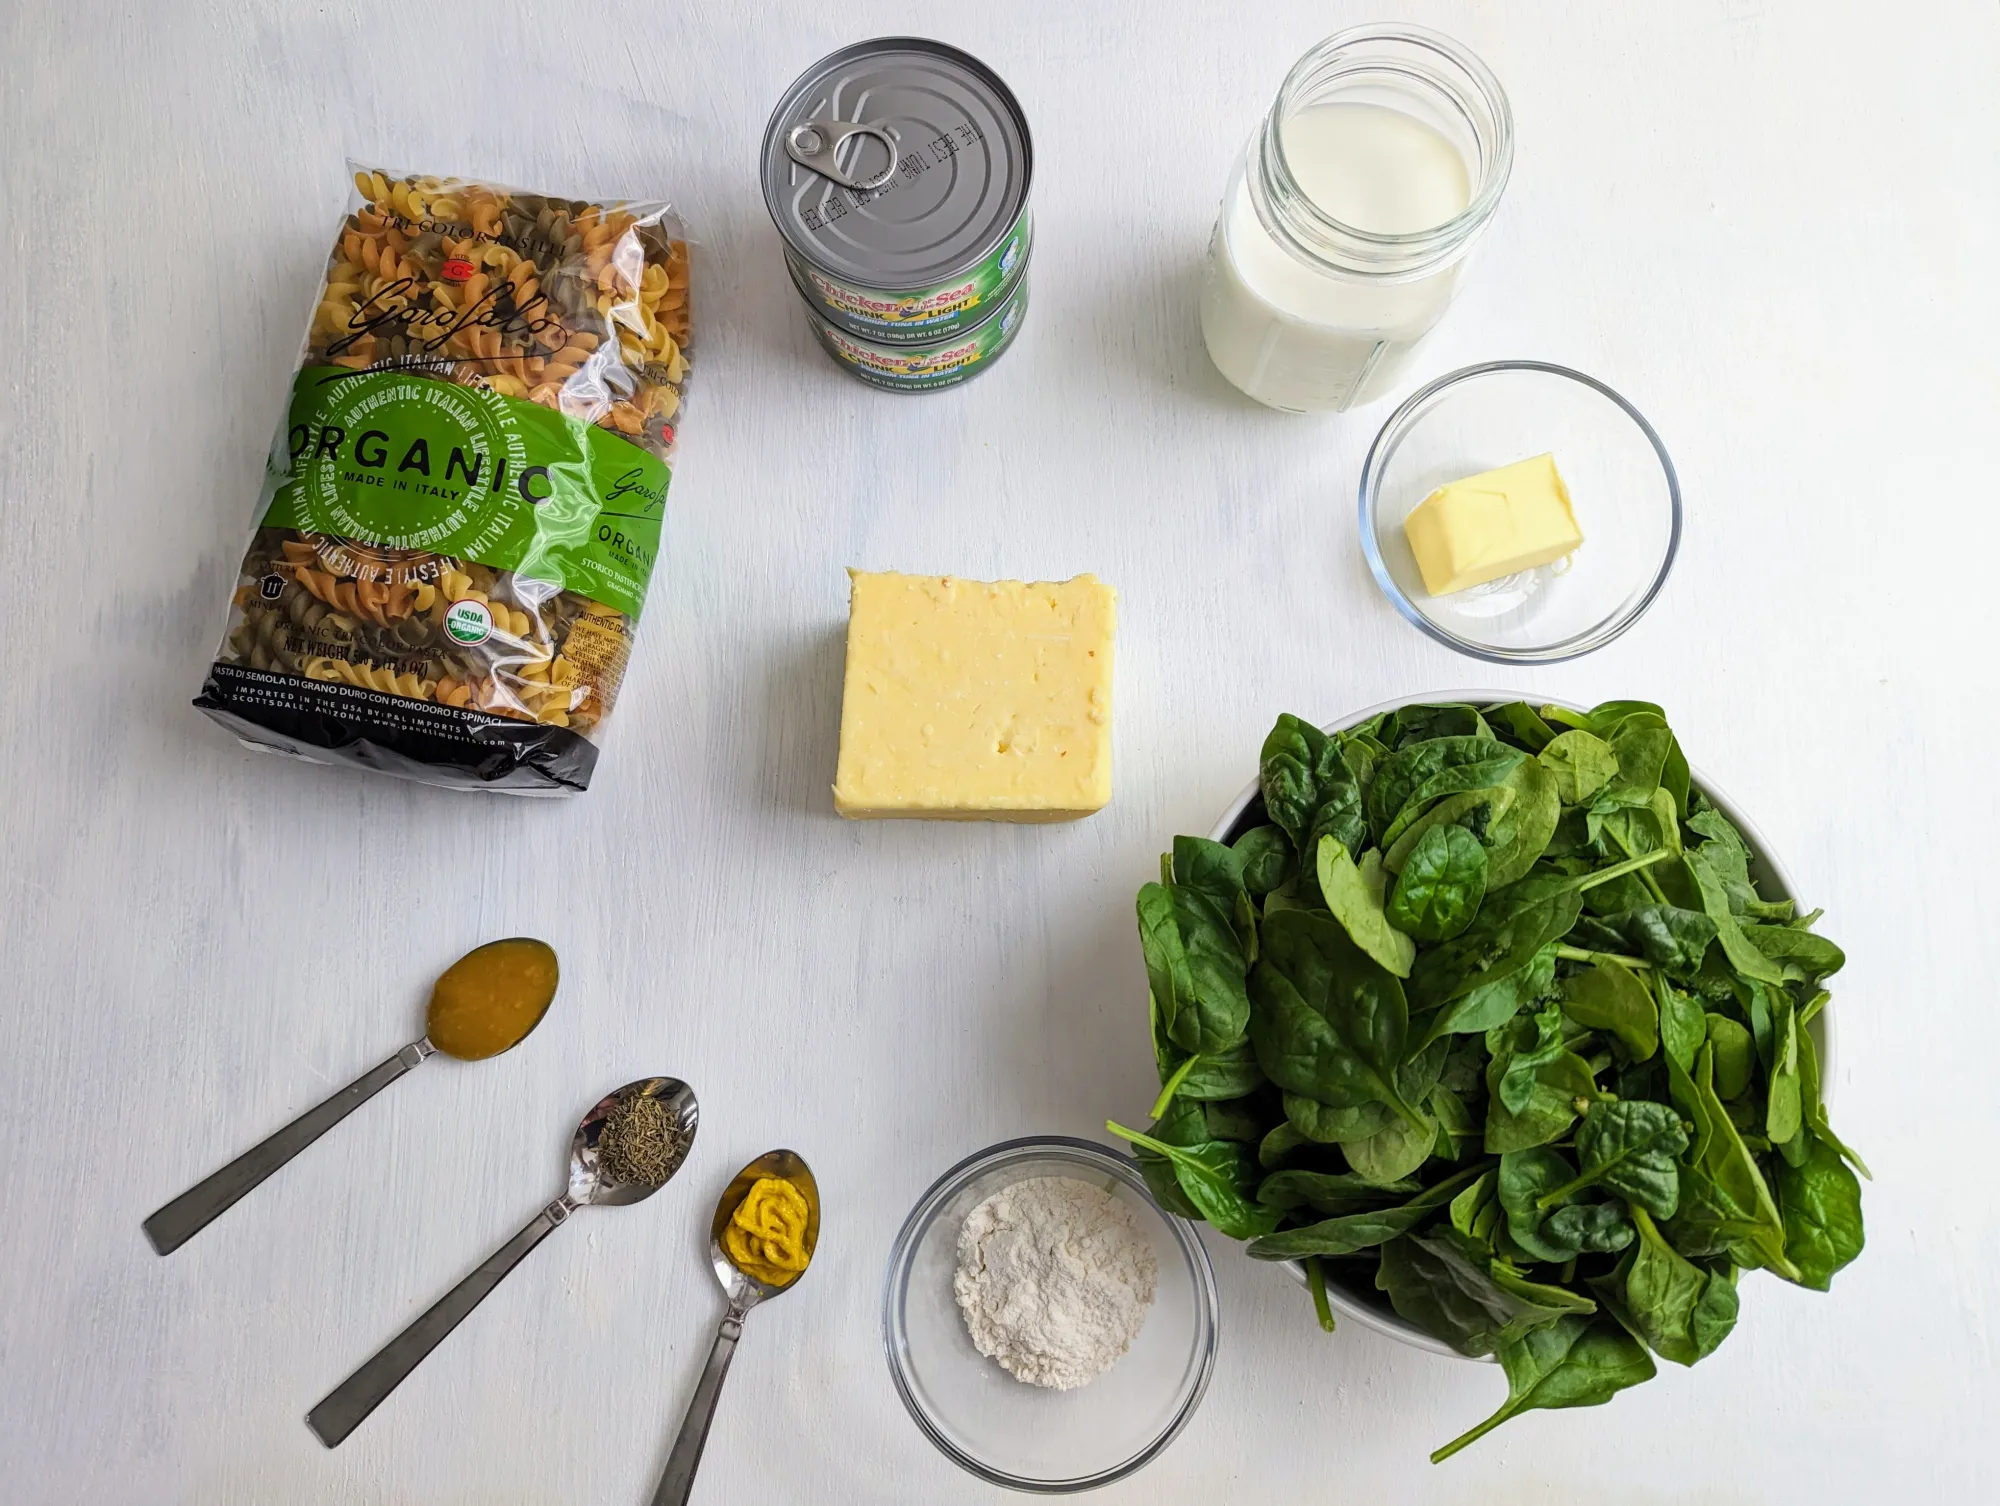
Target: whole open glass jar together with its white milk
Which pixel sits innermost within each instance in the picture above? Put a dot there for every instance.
(1351, 213)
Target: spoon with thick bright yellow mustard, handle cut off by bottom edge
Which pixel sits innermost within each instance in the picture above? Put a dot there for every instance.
(761, 1241)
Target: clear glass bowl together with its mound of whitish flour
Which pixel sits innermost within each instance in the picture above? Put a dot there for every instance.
(1047, 1325)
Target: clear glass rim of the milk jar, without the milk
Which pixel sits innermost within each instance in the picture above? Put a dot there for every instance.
(1415, 251)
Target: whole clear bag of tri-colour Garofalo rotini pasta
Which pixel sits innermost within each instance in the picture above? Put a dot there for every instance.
(465, 501)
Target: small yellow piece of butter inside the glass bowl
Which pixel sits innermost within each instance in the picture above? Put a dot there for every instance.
(1493, 525)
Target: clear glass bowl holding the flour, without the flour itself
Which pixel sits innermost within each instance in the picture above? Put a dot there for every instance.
(1029, 1437)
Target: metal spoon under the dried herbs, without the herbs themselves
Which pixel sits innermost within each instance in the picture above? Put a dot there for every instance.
(369, 1387)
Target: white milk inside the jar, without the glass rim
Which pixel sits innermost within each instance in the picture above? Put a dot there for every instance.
(1303, 335)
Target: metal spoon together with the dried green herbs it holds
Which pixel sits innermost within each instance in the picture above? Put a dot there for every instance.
(627, 1149)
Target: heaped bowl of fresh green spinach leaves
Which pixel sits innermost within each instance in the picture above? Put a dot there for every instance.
(1505, 1031)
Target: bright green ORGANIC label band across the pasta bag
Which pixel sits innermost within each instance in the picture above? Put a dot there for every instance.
(417, 463)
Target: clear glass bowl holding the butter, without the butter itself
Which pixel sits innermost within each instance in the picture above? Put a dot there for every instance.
(1621, 483)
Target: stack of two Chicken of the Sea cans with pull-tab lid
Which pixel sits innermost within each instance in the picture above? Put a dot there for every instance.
(897, 173)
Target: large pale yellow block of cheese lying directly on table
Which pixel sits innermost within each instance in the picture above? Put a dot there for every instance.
(977, 699)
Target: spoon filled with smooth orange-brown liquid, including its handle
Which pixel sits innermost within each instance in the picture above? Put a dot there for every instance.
(483, 1005)
